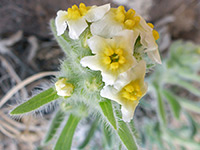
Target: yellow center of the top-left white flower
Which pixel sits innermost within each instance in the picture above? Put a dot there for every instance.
(75, 12)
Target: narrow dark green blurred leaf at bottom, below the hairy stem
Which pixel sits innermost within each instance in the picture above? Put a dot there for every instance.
(90, 134)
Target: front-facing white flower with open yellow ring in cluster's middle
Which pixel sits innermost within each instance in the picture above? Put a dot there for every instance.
(112, 56)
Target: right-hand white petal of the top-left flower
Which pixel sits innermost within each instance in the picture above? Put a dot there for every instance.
(96, 13)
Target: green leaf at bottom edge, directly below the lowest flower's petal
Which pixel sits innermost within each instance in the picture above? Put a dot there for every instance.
(126, 136)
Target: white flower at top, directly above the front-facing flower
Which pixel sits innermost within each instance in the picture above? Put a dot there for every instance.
(118, 19)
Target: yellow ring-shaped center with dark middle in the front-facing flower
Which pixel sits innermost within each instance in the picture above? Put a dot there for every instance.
(113, 58)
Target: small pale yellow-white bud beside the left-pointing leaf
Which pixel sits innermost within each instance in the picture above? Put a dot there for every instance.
(63, 88)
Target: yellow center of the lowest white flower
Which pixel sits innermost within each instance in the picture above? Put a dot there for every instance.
(131, 91)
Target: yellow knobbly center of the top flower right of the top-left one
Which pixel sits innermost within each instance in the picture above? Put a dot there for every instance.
(127, 18)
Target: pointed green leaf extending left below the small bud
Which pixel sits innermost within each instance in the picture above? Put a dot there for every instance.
(36, 102)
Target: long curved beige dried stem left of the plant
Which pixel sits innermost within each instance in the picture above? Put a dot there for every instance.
(24, 83)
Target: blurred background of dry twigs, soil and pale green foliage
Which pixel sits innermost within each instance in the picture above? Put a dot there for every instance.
(167, 118)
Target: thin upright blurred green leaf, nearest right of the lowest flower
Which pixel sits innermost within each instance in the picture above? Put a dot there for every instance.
(161, 109)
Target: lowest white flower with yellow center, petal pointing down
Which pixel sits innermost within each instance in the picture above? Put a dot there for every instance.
(128, 90)
